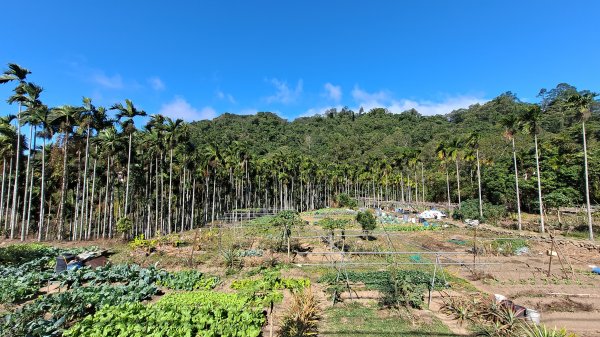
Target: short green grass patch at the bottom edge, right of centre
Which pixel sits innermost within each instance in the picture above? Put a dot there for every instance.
(355, 319)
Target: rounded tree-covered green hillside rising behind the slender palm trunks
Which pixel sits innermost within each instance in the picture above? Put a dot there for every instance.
(380, 146)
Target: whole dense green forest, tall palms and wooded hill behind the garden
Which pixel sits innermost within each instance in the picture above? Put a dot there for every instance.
(80, 171)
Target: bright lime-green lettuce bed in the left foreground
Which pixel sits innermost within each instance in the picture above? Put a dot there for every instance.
(180, 314)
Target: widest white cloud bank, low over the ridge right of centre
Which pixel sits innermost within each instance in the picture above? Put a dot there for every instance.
(383, 99)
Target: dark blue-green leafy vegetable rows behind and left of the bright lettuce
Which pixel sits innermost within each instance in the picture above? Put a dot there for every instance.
(25, 269)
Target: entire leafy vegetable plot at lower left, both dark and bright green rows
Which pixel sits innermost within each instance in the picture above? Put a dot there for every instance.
(110, 300)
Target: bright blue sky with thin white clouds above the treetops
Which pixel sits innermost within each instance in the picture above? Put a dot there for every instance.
(198, 59)
